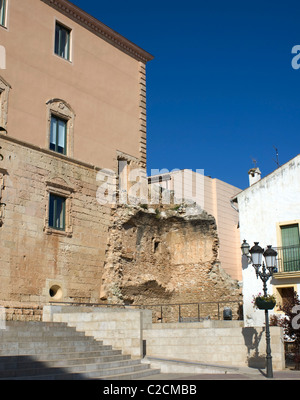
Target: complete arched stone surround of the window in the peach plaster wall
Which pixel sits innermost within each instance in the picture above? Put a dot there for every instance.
(63, 110)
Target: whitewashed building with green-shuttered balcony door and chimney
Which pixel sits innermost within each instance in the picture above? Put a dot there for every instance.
(269, 213)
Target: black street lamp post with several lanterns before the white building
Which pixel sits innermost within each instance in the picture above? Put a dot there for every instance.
(265, 272)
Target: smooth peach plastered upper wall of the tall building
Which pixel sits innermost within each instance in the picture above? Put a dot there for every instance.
(103, 84)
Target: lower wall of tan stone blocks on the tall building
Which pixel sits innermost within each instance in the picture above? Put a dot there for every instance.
(39, 263)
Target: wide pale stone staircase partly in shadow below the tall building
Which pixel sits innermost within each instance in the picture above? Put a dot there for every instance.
(54, 351)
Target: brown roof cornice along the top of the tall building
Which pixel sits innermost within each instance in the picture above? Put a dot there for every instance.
(98, 28)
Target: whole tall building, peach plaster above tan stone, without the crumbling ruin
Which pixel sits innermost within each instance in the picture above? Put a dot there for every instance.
(72, 103)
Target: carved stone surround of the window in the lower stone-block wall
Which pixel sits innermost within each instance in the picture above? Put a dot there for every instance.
(60, 187)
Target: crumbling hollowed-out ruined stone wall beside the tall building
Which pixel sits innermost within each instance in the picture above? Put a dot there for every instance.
(164, 256)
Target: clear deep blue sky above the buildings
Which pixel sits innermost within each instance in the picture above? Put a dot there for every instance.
(221, 90)
